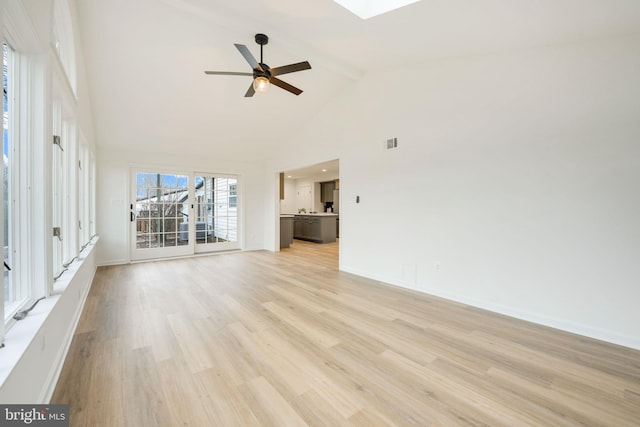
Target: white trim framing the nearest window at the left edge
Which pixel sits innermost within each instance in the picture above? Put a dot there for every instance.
(28, 133)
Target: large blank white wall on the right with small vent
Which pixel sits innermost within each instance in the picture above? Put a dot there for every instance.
(515, 187)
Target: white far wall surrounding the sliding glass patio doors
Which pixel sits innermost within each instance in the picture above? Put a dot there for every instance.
(113, 182)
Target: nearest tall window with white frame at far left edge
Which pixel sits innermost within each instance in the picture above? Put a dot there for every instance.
(23, 107)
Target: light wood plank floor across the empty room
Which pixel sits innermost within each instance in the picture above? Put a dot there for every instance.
(284, 339)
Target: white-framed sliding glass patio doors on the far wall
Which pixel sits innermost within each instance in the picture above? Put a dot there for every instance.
(179, 214)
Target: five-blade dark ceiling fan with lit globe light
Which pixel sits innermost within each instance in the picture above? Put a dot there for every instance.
(262, 73)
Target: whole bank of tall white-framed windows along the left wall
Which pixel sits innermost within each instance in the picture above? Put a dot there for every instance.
(44, 185)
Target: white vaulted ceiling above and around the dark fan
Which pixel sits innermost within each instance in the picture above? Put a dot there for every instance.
(145, 59)
